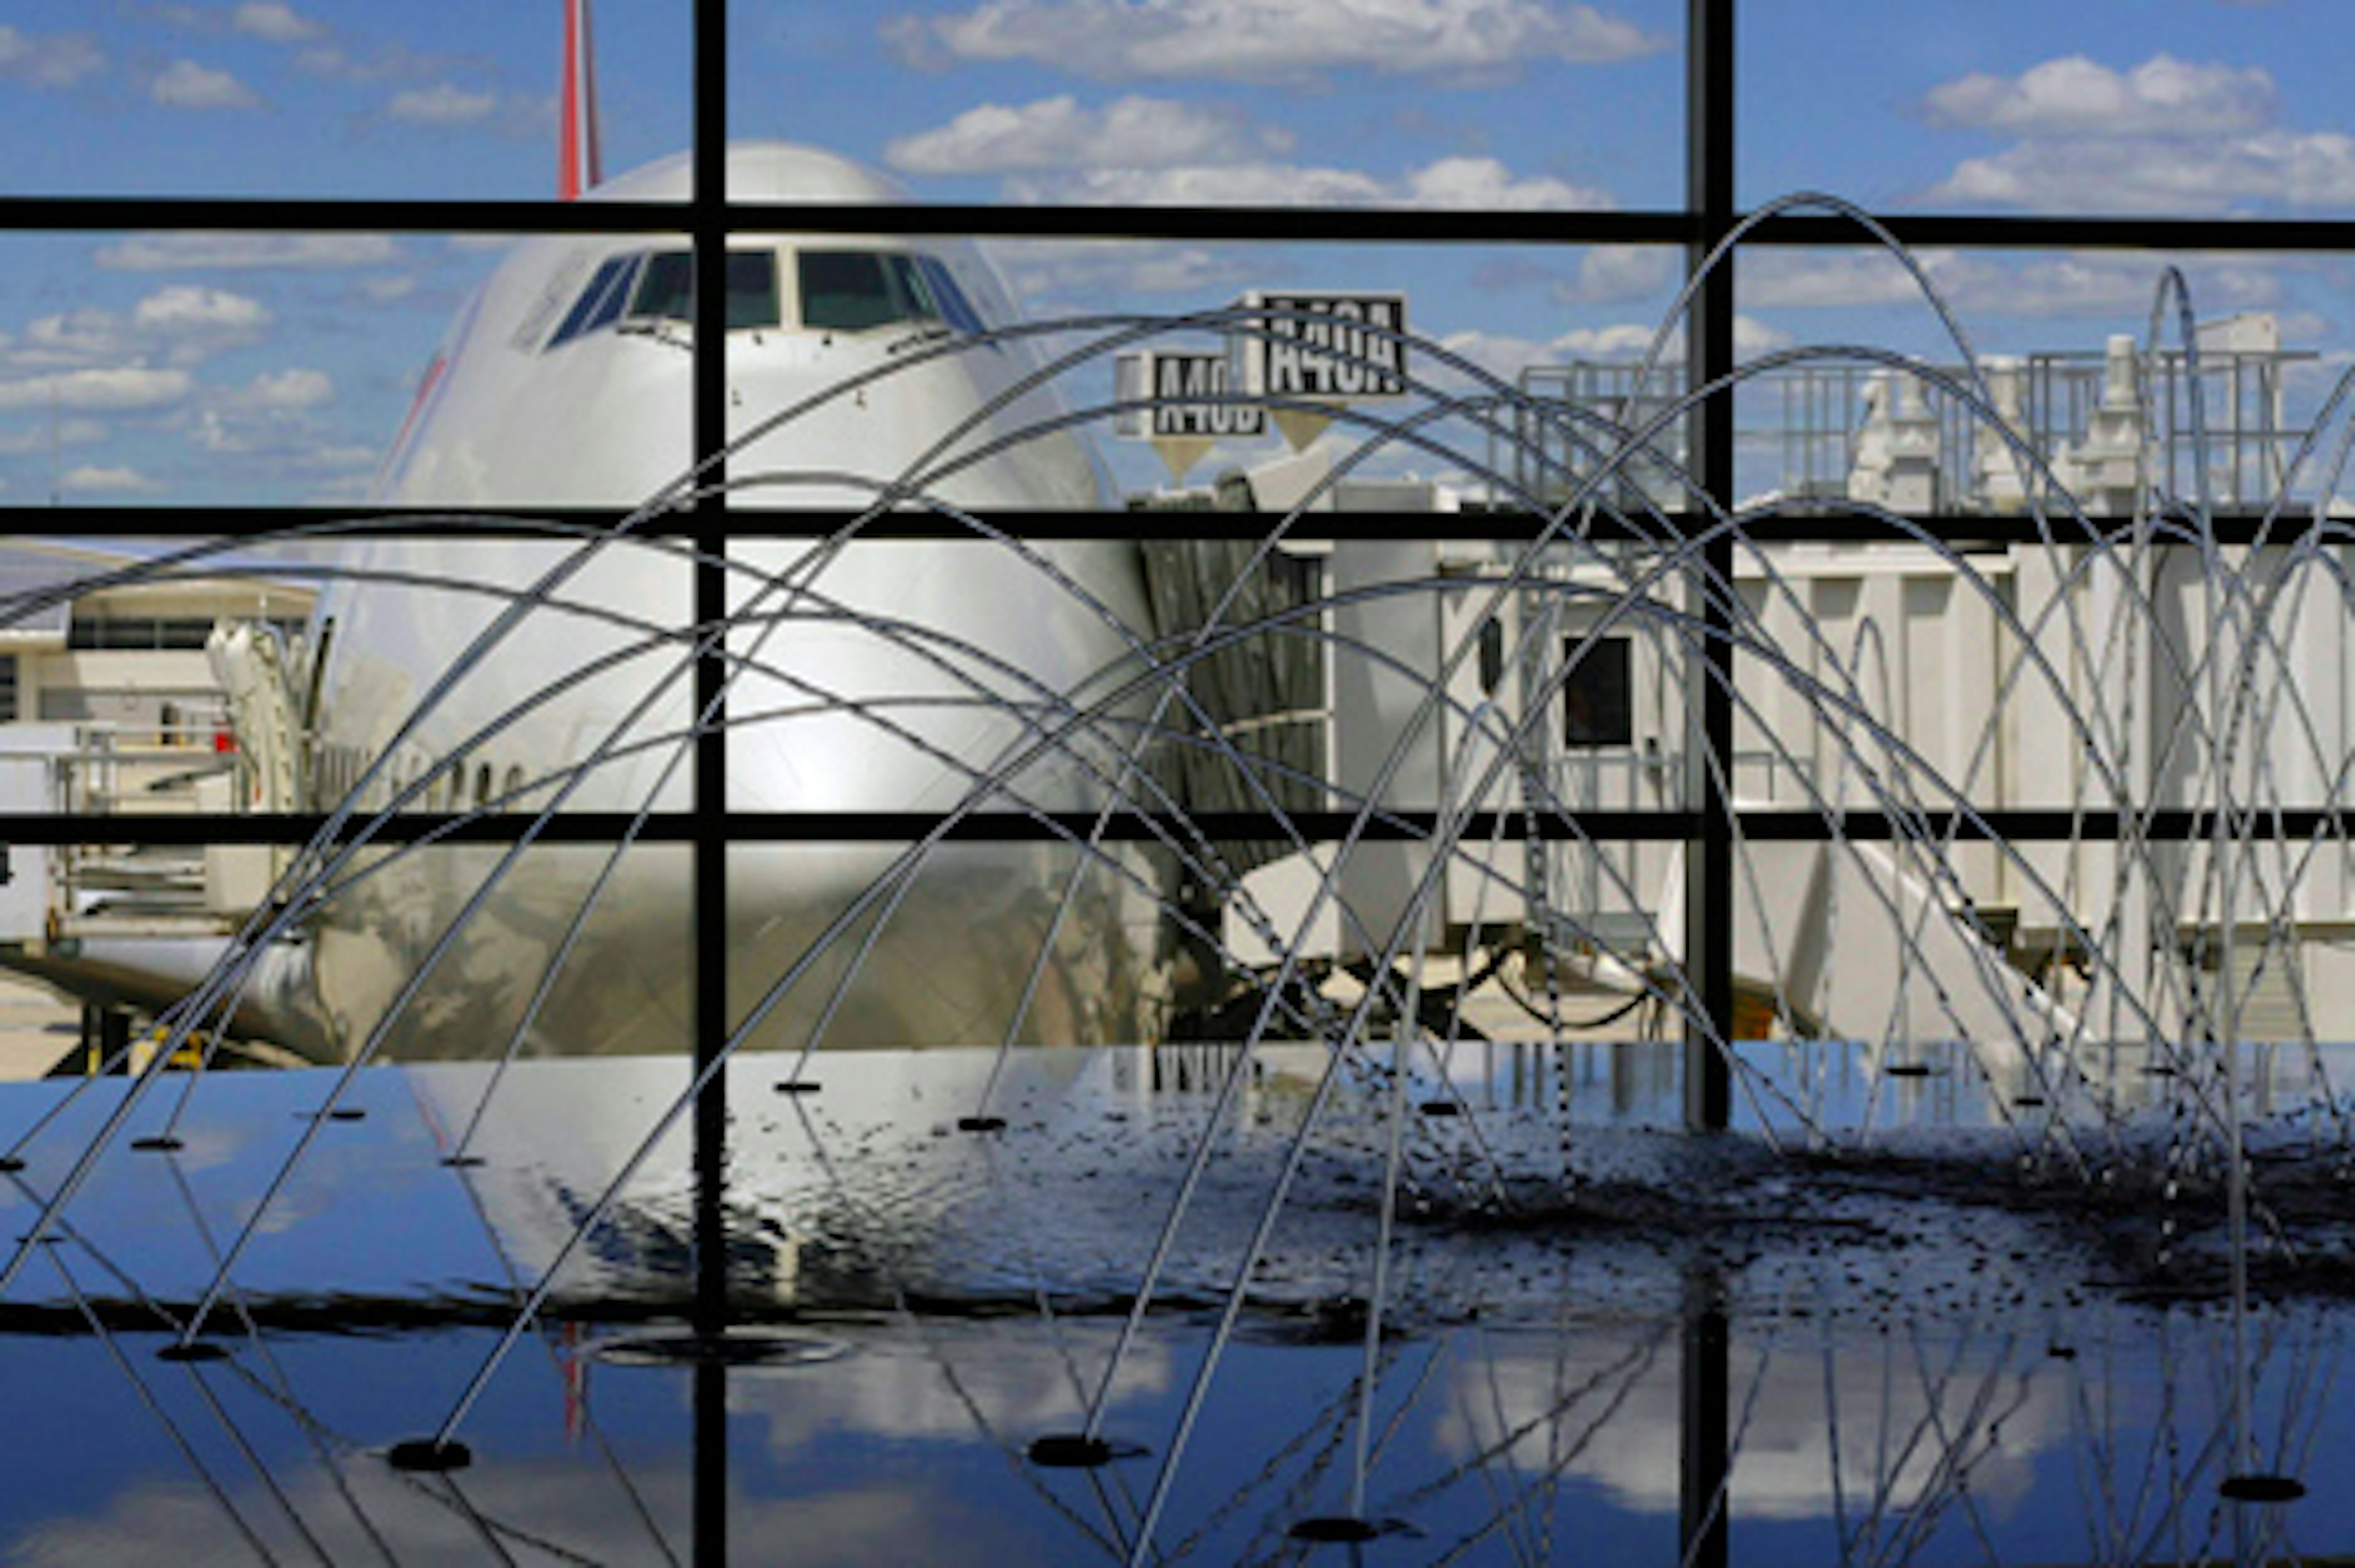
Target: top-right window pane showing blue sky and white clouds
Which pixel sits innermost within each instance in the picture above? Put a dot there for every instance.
(2180, 107)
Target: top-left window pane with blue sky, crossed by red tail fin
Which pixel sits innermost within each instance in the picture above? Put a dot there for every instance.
(326, 100)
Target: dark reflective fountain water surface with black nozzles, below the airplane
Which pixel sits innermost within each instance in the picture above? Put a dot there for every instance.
(1963, 1331)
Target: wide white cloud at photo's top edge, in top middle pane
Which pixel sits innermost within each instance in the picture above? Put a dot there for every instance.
(1273, 39)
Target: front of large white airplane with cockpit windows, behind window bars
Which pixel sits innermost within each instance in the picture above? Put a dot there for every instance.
(877, 675)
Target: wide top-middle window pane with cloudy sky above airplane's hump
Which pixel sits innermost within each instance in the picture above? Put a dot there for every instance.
(1532, 107)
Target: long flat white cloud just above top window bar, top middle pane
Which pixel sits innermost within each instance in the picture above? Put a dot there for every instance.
(1452, 182)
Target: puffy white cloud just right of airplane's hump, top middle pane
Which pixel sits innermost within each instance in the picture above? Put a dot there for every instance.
(1061, 135)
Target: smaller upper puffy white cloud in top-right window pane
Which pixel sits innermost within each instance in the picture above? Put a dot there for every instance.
(2081, 98)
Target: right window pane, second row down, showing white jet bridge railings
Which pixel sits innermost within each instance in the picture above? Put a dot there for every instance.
(2062, 338)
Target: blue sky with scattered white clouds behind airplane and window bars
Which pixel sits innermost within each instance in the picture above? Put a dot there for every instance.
(192, 368)
